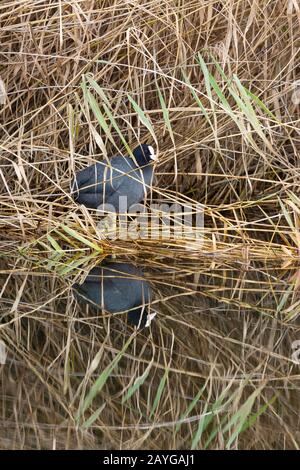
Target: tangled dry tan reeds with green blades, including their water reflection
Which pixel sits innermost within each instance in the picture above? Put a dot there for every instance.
(216, 371)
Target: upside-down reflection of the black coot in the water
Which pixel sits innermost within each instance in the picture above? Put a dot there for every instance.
(116, 288)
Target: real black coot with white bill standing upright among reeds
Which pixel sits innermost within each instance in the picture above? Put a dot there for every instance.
(104, 183)
